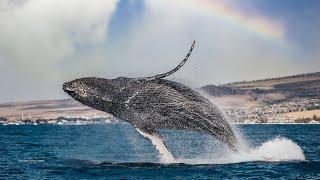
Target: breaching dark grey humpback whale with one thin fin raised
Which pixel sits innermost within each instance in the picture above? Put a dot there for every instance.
(153, 103)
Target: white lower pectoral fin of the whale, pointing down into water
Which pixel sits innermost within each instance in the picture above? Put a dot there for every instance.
(159, 143)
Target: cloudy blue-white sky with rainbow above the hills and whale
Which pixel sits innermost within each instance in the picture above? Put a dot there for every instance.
(44, 43)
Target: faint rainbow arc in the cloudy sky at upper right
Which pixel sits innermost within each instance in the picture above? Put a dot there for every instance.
(259, 25)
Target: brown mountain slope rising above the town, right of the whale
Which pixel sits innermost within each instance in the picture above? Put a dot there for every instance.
(303, 85)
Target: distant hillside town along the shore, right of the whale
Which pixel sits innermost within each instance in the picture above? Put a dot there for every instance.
(297, 111)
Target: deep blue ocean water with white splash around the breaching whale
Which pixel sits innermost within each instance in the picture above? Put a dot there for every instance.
(118, 151)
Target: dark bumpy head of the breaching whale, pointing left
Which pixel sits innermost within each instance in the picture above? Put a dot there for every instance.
(94, 92)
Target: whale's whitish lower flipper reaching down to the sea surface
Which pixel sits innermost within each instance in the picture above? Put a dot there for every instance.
(165, 155)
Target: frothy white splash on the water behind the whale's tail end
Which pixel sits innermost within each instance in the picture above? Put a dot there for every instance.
(278, 149)
